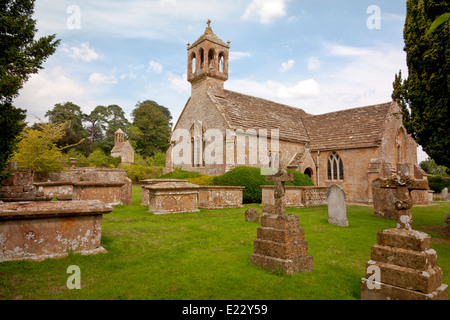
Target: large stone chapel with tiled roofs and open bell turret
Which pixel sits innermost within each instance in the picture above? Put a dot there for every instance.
(350, 148)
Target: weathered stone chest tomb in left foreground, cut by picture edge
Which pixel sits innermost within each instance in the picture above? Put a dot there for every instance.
(43, 230)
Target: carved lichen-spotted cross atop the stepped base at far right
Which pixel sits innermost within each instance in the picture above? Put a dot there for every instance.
(404, 184)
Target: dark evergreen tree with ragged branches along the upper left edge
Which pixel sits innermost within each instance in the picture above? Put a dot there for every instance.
(21, 55)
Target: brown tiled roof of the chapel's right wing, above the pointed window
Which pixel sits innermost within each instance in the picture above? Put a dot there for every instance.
(351, 128)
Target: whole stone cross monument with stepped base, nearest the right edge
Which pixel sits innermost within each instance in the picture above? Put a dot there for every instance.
(403, 265)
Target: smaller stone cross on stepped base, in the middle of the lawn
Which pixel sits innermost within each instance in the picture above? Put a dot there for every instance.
(280, 243)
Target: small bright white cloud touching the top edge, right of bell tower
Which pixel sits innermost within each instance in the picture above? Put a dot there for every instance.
(265, 10)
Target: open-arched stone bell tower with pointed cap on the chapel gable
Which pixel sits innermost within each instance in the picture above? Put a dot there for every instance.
(208, 62)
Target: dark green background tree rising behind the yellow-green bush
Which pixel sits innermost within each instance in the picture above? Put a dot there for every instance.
(72, 114)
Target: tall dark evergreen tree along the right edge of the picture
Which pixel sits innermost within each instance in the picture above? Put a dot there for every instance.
(424, 96)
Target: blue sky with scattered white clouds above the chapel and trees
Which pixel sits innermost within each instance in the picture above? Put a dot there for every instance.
(318, 55)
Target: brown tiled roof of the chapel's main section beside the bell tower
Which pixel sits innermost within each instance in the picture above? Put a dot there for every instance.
(247, 112)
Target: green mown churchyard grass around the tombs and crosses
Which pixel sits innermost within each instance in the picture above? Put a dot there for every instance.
(205, 256)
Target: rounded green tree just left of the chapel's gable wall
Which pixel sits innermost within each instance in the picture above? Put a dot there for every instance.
(150, 130)
